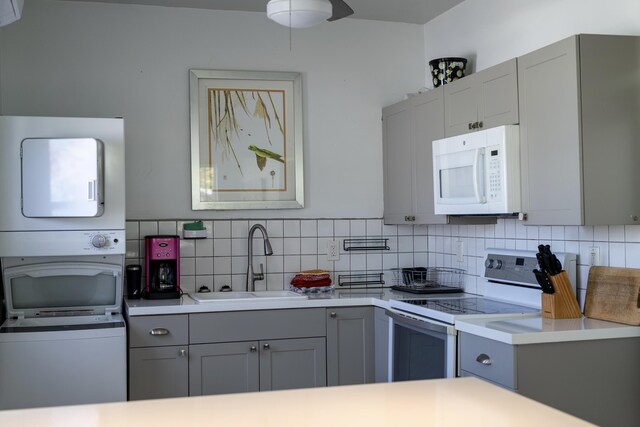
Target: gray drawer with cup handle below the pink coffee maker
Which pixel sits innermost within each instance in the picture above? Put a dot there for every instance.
(150, 331)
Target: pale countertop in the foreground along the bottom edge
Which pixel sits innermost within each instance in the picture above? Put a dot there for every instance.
(450, 402)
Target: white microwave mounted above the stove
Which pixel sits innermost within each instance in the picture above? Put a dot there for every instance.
(478, 173)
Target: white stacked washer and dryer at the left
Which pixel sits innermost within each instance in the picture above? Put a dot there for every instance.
(62, 246)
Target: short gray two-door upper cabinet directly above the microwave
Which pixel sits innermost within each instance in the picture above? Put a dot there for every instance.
(486, 99)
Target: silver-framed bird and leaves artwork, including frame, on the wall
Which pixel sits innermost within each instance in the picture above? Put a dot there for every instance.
(246, 140)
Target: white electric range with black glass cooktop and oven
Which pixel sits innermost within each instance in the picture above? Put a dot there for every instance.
(423, 336)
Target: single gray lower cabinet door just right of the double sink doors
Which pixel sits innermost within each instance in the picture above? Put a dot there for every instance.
(350, 346)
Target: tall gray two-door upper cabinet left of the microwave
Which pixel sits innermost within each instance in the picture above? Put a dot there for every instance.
(409, 127)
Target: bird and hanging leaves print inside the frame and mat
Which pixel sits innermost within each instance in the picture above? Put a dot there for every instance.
(247, 140)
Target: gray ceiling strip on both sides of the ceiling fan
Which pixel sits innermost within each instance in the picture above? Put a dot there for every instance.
(407, 11)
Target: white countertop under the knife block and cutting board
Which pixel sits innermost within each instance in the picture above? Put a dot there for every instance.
(538, 330)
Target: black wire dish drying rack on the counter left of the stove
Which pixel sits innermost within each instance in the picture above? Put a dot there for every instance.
(428, 280)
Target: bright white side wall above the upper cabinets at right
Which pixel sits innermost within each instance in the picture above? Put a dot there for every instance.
(488, 32)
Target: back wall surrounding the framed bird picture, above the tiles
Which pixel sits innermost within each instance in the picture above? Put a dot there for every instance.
(93, 59)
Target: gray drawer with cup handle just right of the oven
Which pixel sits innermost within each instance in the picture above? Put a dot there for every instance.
(488, 359)
